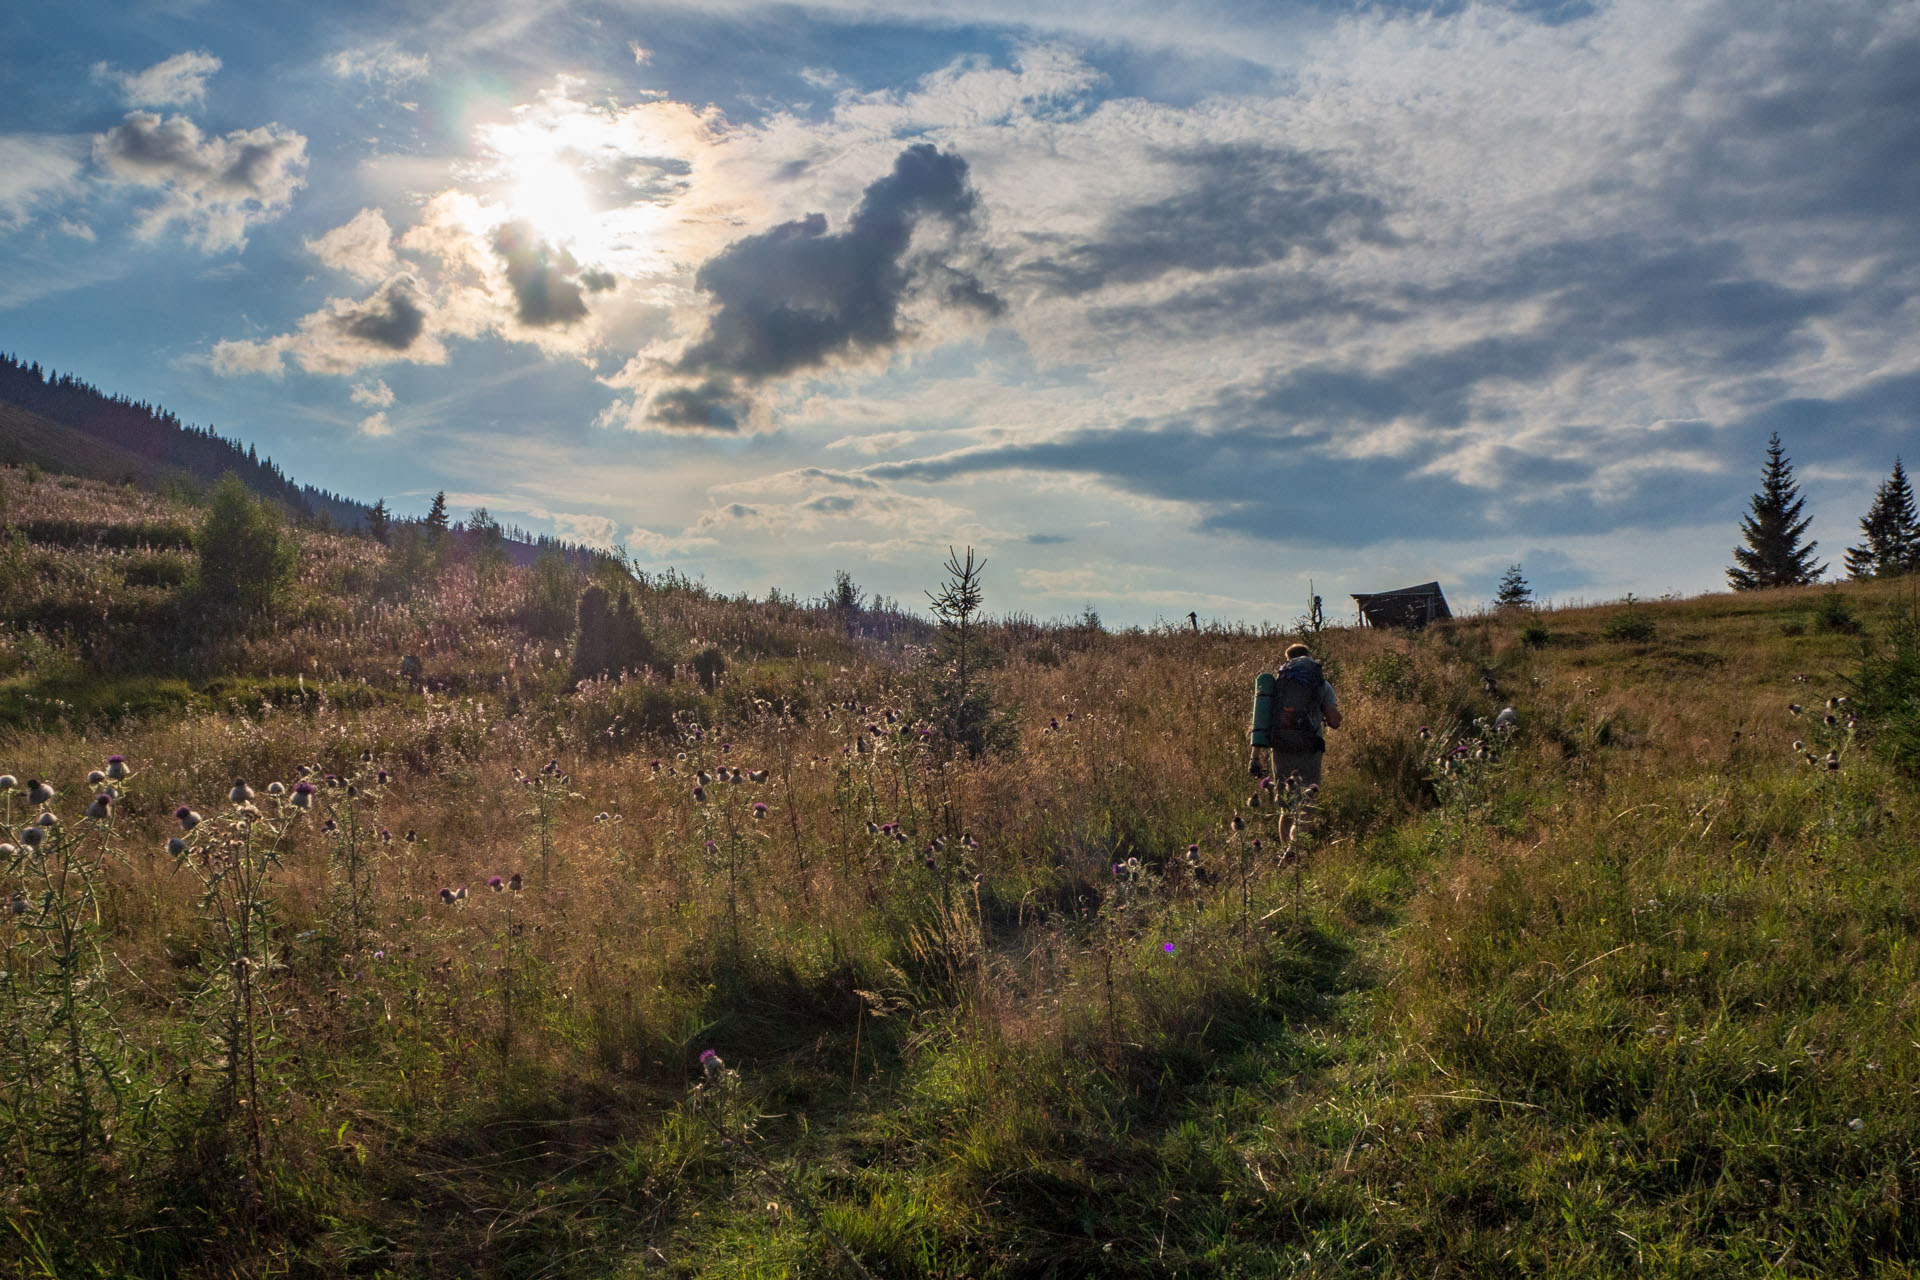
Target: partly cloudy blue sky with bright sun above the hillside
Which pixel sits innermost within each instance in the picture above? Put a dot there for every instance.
(1161, 306)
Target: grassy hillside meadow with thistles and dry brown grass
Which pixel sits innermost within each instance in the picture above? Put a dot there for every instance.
(792, 989)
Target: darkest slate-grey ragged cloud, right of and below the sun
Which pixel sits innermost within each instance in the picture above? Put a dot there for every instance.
(800, 296)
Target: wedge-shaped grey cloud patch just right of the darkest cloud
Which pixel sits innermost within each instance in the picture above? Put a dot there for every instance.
(1241, 206)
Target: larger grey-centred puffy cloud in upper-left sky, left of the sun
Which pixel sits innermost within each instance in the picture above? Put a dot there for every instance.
(216, 187)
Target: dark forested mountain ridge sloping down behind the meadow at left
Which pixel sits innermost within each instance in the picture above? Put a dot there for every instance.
(66, 425)
